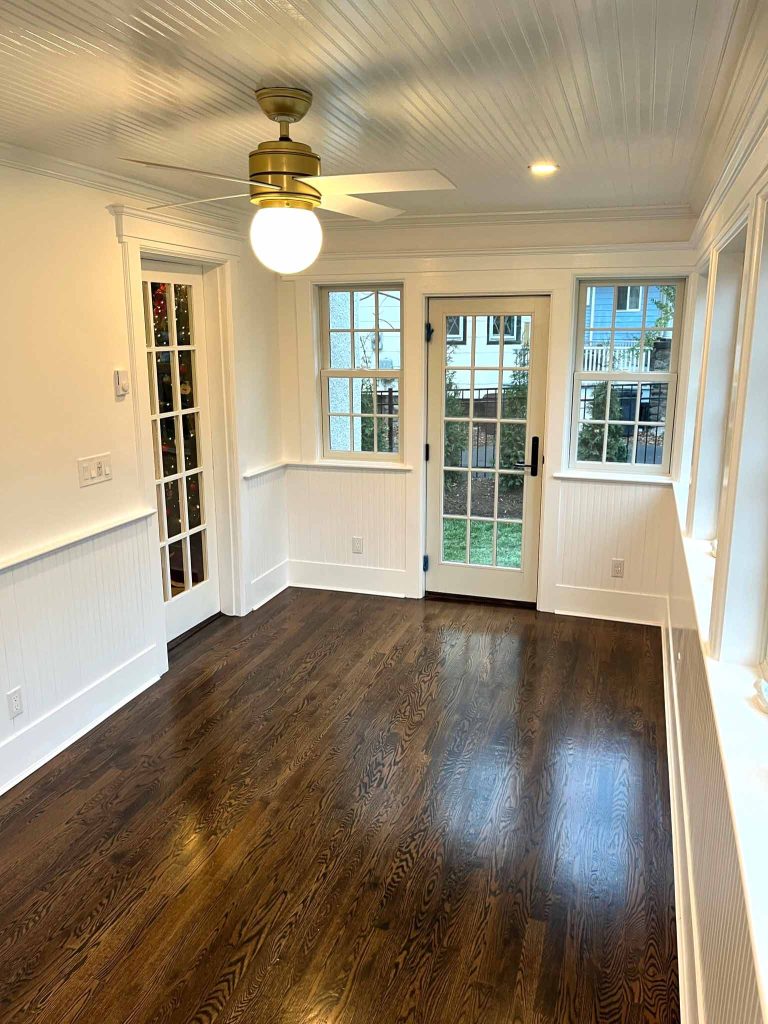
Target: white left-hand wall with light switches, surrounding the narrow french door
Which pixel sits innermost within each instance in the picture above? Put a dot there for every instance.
(81, 614)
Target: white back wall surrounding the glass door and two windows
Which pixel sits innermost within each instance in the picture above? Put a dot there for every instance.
(333, 505)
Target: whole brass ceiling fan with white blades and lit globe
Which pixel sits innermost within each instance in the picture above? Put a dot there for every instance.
(286, 186)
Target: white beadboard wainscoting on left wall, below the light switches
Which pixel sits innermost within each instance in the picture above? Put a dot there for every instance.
(81, 633)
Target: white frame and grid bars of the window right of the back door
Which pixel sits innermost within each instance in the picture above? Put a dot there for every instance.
(639, 377)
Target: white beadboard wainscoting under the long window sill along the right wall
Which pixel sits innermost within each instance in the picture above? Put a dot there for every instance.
(717, 957)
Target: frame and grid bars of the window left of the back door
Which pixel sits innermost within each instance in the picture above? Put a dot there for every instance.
(327, 373)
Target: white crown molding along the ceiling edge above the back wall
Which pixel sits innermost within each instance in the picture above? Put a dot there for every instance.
(514, 218)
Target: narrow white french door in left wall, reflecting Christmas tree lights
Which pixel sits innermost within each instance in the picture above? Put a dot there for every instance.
(182, 443)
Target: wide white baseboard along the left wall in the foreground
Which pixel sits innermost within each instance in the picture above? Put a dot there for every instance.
(30, 748)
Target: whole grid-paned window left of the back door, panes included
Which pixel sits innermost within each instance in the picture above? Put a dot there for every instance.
(361, 372)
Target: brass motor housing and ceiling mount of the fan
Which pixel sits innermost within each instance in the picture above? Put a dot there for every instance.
(282, 162)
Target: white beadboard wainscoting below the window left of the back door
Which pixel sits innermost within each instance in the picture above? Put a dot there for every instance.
(327, 507)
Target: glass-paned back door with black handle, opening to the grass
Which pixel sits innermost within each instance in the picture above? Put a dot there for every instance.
(486, 422)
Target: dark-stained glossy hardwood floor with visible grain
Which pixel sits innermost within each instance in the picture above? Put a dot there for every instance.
(357, 810)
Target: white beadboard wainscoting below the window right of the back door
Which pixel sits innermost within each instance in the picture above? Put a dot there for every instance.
(599, 521)
